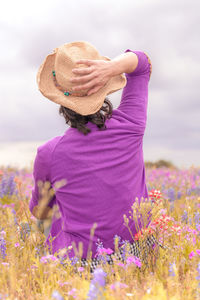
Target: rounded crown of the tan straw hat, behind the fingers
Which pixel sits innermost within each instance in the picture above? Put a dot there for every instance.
(65, 61)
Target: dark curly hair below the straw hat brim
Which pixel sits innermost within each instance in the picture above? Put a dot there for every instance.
(78, 121)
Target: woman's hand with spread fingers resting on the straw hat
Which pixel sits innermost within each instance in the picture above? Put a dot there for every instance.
(93, 77)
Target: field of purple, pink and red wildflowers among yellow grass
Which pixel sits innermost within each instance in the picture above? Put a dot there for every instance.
(29, 271)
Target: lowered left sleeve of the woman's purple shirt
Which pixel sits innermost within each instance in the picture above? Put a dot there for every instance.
(41, 170)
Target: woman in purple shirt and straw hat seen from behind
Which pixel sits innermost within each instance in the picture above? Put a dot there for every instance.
(100, 156)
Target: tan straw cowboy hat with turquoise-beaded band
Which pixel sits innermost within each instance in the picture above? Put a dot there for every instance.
(53, 78)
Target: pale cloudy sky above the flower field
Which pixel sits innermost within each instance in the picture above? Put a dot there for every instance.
(168, 31)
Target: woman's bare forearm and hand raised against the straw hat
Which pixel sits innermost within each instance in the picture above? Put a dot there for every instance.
(98, 72)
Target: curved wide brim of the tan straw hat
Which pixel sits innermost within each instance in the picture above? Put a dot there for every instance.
(83, 105)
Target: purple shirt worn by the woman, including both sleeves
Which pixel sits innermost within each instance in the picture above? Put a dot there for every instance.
(104, 171)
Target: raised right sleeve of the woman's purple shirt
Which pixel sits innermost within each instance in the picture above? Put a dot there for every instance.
(134, 100)
